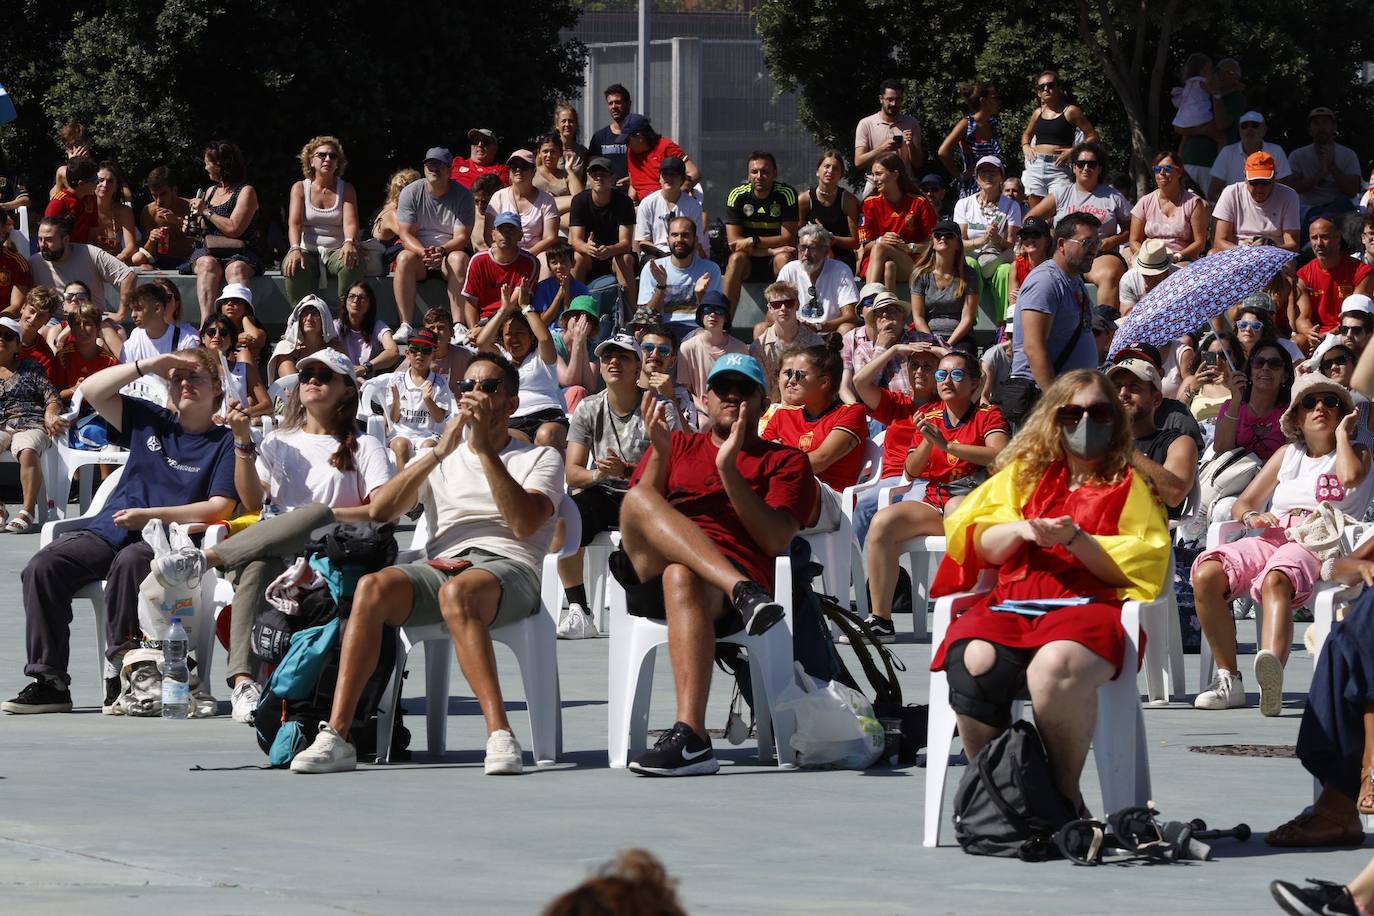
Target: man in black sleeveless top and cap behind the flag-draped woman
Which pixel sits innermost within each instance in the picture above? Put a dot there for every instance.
(1167, 458)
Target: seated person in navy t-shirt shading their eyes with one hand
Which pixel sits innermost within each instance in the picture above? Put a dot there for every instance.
(181, 469)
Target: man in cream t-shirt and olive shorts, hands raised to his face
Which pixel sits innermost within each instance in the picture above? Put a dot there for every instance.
(493, 505)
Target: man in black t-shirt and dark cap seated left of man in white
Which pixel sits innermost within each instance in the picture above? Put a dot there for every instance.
(602, 229)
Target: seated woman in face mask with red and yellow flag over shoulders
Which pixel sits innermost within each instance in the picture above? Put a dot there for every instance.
(1064, 517)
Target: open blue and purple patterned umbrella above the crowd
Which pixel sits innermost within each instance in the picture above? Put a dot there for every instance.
(1189, 299)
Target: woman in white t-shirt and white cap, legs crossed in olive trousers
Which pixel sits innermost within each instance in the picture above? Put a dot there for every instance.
(314, 470)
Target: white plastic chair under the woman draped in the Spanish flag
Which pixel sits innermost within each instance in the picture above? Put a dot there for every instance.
(1119, 742)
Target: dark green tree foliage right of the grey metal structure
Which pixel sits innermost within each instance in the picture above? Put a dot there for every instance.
(1120, 61)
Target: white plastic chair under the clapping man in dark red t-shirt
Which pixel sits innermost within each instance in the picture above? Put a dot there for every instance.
(634, 643)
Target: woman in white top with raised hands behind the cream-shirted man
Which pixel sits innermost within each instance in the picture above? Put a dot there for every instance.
(542, 417)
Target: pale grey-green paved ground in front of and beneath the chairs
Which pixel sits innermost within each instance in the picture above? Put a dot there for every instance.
(126, 816)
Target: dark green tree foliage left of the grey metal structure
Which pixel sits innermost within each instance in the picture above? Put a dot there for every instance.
(155, 80)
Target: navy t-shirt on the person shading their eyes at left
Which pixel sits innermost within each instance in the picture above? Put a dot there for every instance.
(167, 466)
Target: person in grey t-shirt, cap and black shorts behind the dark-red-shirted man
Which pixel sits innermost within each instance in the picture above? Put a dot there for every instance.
(605, 443)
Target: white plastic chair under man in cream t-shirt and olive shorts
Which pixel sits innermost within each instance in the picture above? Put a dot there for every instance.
(534, 641)
